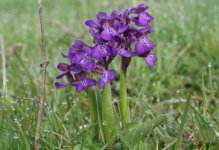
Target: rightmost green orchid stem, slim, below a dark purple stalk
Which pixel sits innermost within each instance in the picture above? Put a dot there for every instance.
(123, 102)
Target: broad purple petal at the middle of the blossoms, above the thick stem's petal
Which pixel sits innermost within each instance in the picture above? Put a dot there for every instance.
(101, 51)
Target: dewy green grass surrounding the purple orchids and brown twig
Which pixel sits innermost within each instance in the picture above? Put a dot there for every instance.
(186, 37)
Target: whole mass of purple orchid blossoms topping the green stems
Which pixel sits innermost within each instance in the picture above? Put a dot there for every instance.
(125, 34)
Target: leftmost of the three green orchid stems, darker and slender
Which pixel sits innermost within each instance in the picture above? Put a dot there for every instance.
(93, 113)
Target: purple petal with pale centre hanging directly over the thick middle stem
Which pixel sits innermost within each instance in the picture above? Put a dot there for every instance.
(106, 77)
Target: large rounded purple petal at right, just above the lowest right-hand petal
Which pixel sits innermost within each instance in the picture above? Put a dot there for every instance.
(143, 46)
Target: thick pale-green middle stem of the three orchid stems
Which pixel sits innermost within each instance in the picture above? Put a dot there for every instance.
(108, 118)
